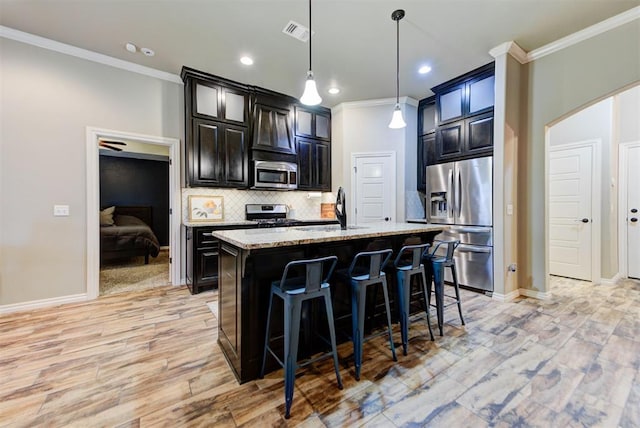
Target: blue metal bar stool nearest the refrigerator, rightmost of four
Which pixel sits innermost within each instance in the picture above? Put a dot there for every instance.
(439, 260)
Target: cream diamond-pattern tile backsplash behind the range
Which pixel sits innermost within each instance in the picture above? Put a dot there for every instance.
(305, 204)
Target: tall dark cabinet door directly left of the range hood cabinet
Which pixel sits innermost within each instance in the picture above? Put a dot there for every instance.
(236, 157)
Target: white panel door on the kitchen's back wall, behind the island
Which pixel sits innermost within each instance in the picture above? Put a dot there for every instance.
(374, 188)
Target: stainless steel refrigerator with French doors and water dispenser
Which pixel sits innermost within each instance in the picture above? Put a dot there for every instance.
(461, 194)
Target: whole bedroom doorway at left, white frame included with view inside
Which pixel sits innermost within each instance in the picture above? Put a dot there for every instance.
(131, 193)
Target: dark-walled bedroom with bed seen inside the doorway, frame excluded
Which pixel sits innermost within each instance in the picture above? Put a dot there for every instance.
(134, 216)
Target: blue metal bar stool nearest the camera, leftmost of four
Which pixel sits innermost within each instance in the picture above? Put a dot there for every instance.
(294, 290)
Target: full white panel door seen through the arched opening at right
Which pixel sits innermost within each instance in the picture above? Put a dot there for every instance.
(570, 212)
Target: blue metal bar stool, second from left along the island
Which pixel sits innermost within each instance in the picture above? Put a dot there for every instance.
(366, 270)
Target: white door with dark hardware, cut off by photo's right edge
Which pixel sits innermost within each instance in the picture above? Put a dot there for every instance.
(633, 212)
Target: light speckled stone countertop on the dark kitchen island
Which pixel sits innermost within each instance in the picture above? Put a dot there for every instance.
(251, 239)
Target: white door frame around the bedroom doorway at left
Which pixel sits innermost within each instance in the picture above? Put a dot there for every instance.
(93, 202)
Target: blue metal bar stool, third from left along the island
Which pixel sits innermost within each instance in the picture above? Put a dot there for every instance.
(409, 263)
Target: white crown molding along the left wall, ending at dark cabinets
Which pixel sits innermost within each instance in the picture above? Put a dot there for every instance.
(42, 42)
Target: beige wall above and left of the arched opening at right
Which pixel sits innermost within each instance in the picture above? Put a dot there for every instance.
(558, 84)
